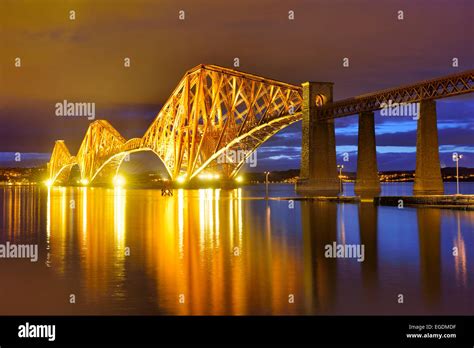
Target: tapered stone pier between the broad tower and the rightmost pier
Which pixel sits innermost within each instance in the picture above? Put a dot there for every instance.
(367, 182)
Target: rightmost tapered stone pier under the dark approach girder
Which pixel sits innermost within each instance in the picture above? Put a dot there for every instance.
(428, 180)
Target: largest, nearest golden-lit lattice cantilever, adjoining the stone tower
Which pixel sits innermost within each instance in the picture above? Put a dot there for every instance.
(211, 107)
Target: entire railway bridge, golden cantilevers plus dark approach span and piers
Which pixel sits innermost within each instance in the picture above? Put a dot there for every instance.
(215, 111)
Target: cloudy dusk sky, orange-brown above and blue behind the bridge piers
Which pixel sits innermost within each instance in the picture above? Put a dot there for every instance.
(82, 61)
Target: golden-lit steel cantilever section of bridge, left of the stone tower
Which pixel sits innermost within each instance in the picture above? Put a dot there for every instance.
(213, 112)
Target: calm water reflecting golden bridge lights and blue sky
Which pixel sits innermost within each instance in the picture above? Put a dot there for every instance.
(226, 252)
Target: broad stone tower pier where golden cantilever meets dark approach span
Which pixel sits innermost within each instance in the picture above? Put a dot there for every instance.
(318, 152)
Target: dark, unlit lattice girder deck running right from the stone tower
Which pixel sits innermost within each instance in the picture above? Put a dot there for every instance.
(431, 89)
